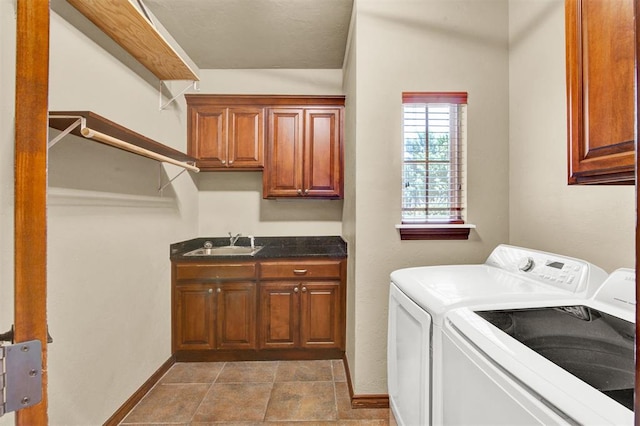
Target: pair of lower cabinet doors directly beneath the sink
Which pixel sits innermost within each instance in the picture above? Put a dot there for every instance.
(215, 316)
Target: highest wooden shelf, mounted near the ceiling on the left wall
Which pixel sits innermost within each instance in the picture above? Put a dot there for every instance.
(126, 25)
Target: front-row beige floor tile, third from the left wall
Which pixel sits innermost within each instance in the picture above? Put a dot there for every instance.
(300, 401)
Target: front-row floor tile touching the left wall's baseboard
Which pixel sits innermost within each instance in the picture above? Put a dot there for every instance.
(168, 403)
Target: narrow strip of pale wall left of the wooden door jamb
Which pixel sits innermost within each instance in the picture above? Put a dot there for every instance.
(7, 126)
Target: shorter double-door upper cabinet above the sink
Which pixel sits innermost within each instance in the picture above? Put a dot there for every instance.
(225, 138)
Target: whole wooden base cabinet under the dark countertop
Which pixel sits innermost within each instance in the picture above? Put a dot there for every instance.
(266, 309)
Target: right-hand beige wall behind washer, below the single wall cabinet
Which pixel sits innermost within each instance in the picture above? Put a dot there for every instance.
(595, 223)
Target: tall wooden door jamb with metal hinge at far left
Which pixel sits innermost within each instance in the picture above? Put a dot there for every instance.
(30, 209)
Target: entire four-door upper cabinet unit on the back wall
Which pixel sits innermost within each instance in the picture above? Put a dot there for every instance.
(301, 138)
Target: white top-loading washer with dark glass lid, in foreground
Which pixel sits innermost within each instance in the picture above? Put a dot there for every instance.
(557, 362)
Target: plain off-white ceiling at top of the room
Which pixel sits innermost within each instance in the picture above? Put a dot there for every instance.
(245, 34)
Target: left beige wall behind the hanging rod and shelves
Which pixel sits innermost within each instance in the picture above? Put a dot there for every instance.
(109, 235)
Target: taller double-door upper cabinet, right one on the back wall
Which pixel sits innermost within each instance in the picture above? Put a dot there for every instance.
(304, 152)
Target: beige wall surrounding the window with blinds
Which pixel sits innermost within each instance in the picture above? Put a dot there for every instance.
(411, 45)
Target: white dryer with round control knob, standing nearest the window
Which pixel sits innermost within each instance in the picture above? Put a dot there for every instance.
(420, 297)
